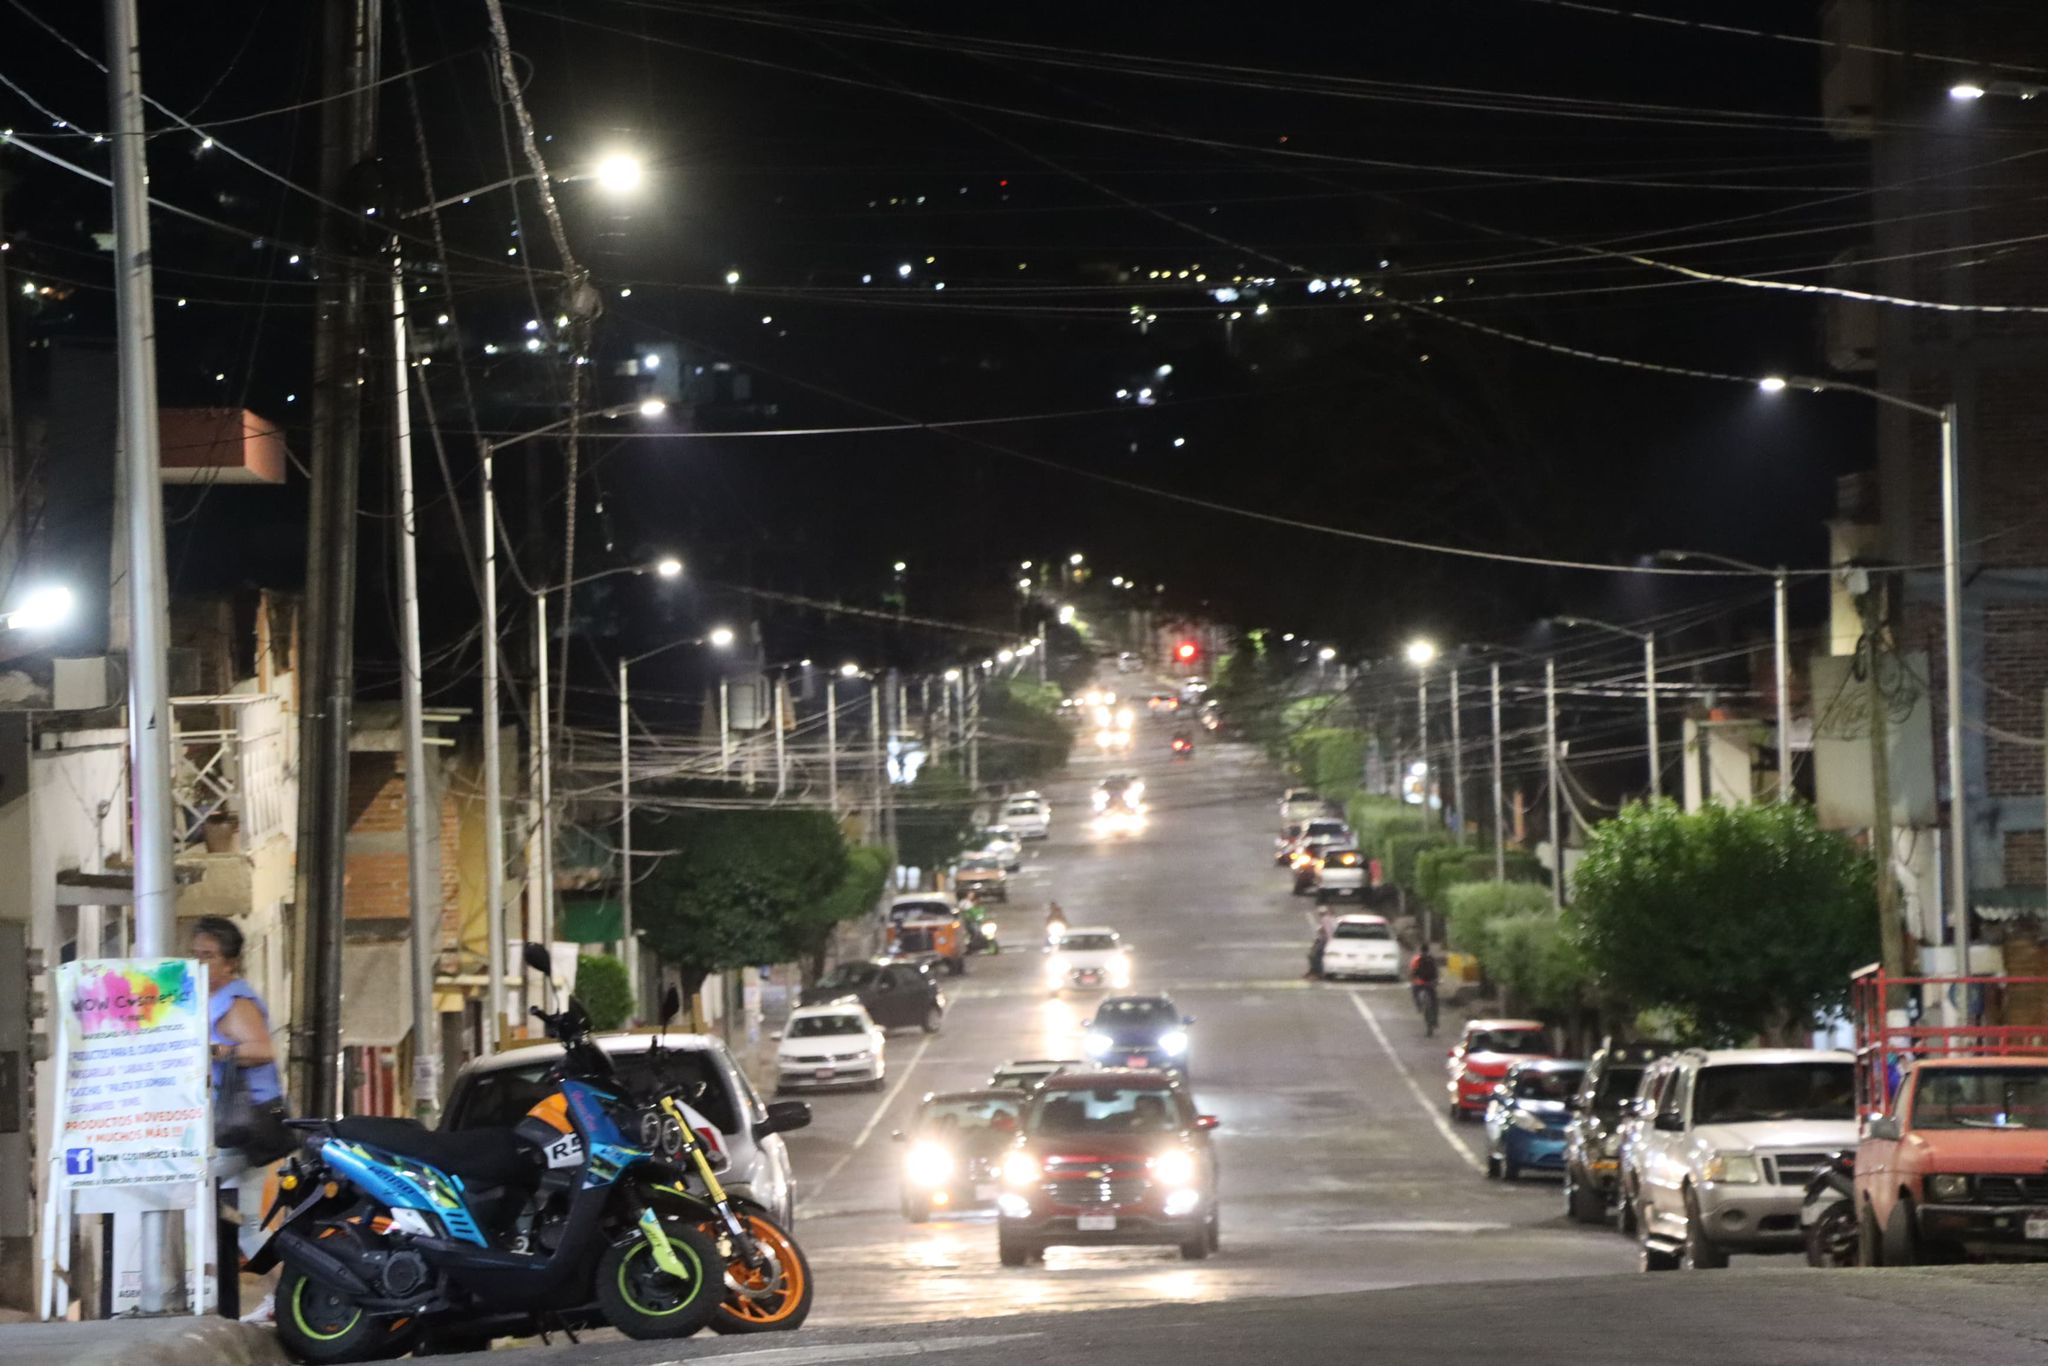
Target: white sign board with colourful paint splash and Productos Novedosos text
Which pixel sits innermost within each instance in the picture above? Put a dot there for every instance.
(134, 1103)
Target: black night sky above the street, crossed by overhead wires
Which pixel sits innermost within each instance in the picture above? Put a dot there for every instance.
(1033, 167)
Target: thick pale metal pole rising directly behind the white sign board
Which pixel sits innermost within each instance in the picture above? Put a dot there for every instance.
(151, 724)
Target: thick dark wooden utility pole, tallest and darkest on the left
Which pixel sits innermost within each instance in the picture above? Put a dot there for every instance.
(351, 44)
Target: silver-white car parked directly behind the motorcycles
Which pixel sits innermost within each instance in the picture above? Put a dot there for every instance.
(499, 1091)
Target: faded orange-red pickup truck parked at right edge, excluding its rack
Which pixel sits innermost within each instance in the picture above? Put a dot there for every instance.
(1959, 1168)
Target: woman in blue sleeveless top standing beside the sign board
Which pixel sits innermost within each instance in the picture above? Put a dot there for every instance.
(243, 1052)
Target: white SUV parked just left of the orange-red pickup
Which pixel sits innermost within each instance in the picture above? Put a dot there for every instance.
(1736, 1140)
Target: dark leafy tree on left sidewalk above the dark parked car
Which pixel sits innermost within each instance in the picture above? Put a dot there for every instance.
(732, 884)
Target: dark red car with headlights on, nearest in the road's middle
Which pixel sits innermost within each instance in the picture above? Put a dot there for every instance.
(1109, 1158)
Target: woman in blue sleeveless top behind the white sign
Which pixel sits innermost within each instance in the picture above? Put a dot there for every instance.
(249, 1101)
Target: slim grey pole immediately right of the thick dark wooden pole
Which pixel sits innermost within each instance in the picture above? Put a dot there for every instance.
(423, 824)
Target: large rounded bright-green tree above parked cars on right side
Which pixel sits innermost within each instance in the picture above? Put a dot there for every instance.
(1746, 921)
